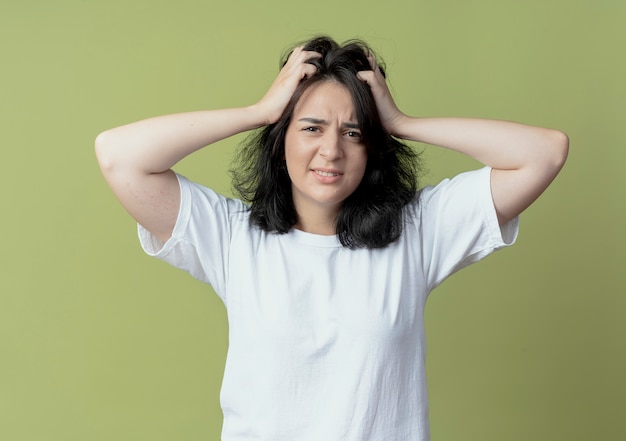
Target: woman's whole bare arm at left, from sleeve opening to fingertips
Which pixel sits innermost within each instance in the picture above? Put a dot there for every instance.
(136, 159)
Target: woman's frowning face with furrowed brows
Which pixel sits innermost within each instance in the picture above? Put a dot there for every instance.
(324, 151)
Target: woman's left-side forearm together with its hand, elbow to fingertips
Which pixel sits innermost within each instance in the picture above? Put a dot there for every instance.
(154, 145)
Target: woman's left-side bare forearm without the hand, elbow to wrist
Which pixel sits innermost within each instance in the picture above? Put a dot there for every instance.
(154, 145)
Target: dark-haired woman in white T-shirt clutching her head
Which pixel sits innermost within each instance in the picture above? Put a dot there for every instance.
(326, 265)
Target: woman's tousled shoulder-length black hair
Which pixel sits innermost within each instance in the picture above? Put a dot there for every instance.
(372, 216)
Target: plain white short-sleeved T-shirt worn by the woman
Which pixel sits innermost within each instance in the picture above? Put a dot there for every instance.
(327, 343)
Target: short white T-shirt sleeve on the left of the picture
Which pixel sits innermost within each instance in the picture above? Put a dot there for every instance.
(200, 241)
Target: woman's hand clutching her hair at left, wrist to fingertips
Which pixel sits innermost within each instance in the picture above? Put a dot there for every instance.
(282, 89)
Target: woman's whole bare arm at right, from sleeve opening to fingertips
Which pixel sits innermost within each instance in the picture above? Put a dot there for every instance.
(524, 159)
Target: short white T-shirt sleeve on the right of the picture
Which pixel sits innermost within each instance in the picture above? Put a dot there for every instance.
(459, 224)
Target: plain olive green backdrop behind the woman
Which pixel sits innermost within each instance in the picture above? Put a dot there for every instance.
(100, 342)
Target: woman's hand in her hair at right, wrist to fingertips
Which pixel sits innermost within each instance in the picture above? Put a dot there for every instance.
(388, 111)
